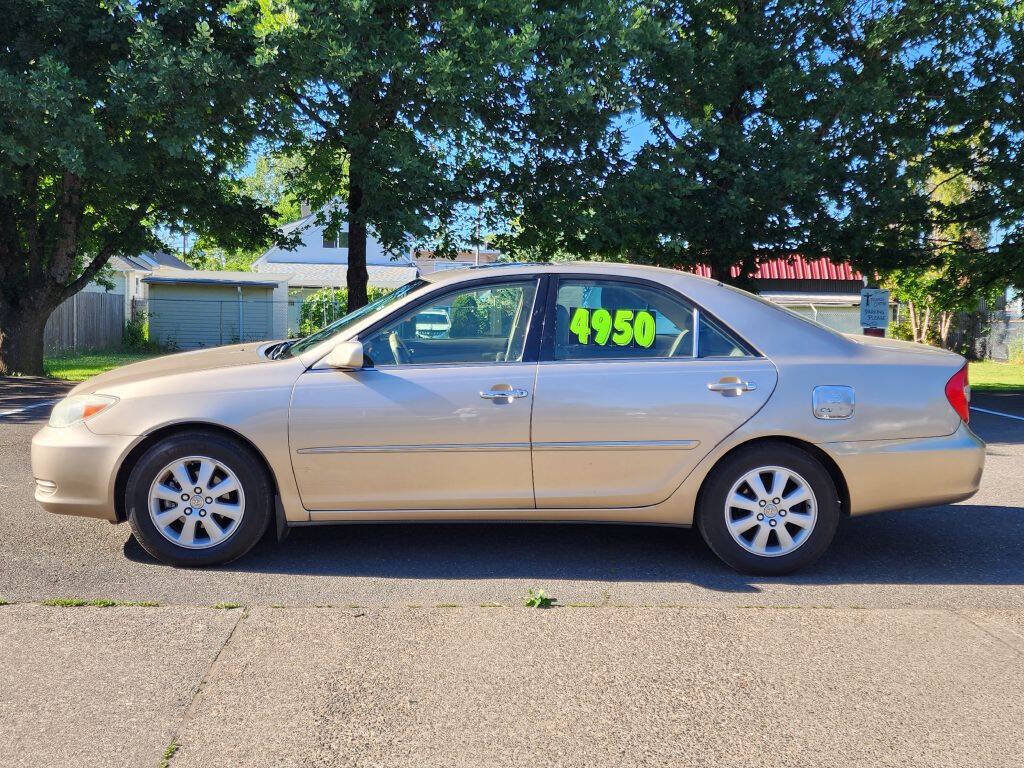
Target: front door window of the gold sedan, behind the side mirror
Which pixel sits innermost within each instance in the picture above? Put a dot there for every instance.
(483, 324)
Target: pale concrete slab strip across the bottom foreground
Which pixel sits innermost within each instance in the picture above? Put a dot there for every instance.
(572, 687)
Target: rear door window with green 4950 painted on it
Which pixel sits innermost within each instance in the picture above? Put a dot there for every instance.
(610, 320)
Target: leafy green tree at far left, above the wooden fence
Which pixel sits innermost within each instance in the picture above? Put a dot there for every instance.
(117, 118)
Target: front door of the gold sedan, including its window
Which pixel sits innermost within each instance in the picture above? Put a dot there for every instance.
(441, 420)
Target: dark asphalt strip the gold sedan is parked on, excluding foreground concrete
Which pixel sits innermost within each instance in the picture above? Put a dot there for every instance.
(965, 556)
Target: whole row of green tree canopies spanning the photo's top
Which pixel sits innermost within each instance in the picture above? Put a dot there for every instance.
(703, 132)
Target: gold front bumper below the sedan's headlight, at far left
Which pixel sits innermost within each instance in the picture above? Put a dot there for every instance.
(75, 471)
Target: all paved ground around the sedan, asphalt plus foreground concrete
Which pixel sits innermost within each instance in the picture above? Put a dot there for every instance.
(409, 646)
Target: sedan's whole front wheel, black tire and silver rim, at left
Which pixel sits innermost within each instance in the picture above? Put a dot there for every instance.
(198, 499)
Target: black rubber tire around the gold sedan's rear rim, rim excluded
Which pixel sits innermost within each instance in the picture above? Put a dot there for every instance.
(712, 515)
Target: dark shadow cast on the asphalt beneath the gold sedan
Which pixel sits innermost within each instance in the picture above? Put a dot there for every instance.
(961, 544)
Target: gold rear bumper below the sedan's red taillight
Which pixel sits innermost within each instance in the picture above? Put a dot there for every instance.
(918, 473)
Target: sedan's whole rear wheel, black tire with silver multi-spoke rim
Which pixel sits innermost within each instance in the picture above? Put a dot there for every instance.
(770, 510)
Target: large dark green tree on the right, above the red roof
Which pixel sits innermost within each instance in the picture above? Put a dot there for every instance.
(803, 127)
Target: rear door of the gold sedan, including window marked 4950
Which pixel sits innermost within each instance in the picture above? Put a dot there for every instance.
(635, 388)
